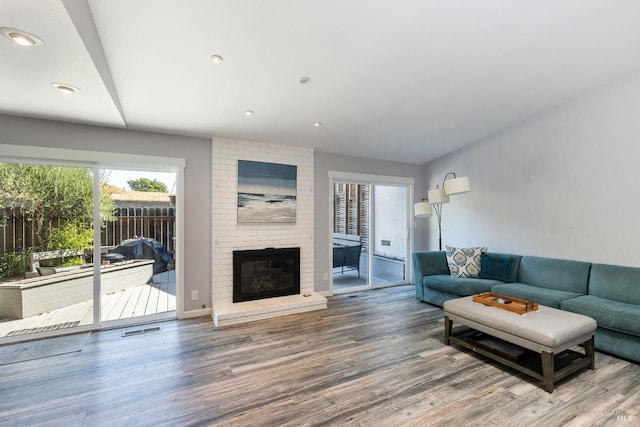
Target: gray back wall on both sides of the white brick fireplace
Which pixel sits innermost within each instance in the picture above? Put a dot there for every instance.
(197, 185)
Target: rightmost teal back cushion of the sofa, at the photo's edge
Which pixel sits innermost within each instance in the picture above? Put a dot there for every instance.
(615, 282)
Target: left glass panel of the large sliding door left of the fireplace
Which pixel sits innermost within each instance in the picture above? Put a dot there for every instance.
(46, 238)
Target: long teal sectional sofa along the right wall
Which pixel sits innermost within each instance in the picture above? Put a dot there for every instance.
(609, 294)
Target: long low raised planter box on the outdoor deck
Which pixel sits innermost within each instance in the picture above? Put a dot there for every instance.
(33, 296)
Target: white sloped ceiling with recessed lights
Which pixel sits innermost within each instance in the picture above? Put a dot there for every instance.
(405, 80)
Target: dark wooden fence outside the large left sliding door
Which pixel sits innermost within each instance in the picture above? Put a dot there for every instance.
(17, 232)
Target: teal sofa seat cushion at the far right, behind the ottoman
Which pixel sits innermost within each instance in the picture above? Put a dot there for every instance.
(614, 315)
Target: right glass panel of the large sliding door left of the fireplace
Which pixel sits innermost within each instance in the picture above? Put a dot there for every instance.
(139, 246)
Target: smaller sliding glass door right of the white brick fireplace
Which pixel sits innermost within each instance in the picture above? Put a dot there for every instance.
(370, 233)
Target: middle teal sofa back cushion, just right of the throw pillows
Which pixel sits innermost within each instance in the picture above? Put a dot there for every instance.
(557, 274)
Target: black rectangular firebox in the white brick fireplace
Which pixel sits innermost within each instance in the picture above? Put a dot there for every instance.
(265, 273)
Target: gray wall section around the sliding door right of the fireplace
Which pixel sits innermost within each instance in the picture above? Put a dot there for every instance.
(323, 163)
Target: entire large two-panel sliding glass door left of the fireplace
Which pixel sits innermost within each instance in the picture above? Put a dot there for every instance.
(84, 246)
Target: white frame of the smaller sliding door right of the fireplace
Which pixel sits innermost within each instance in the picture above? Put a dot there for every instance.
(370, 179)
